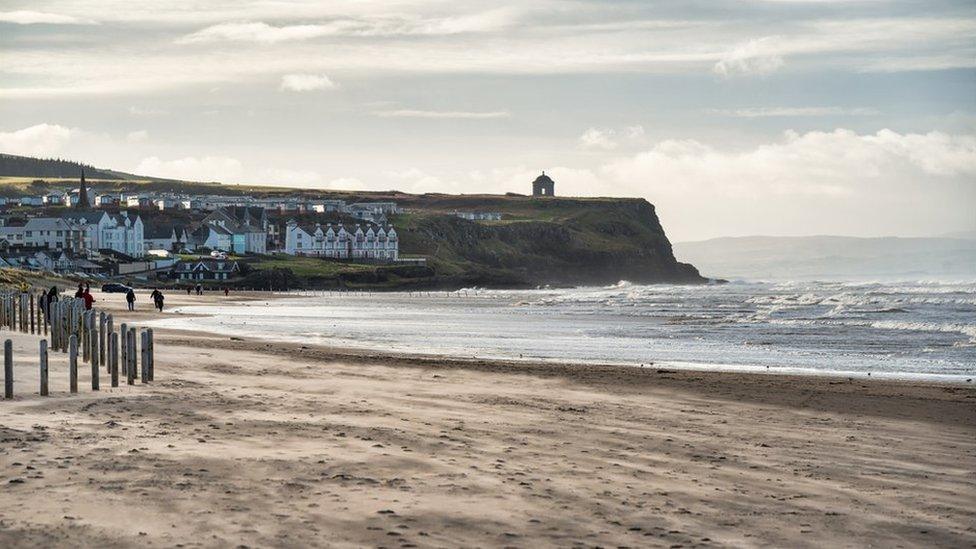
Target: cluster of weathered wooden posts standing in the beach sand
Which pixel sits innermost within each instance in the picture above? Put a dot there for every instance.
(75, 331)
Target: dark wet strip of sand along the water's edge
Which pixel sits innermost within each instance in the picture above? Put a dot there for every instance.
(818, 392)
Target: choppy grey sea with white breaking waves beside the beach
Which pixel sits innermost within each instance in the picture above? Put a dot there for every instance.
(904, 330)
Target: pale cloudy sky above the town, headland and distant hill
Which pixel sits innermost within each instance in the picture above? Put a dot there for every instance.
(775, 117)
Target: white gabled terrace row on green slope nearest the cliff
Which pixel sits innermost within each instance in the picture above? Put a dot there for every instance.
(377, 242)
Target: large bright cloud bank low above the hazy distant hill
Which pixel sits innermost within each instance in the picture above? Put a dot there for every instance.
(836, 182)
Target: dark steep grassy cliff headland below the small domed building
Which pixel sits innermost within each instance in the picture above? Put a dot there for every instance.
(580, 242)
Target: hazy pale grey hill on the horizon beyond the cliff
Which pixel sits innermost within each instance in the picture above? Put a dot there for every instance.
(831, 257)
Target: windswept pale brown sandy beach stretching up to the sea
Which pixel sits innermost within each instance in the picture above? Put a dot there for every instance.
(249, 443)
